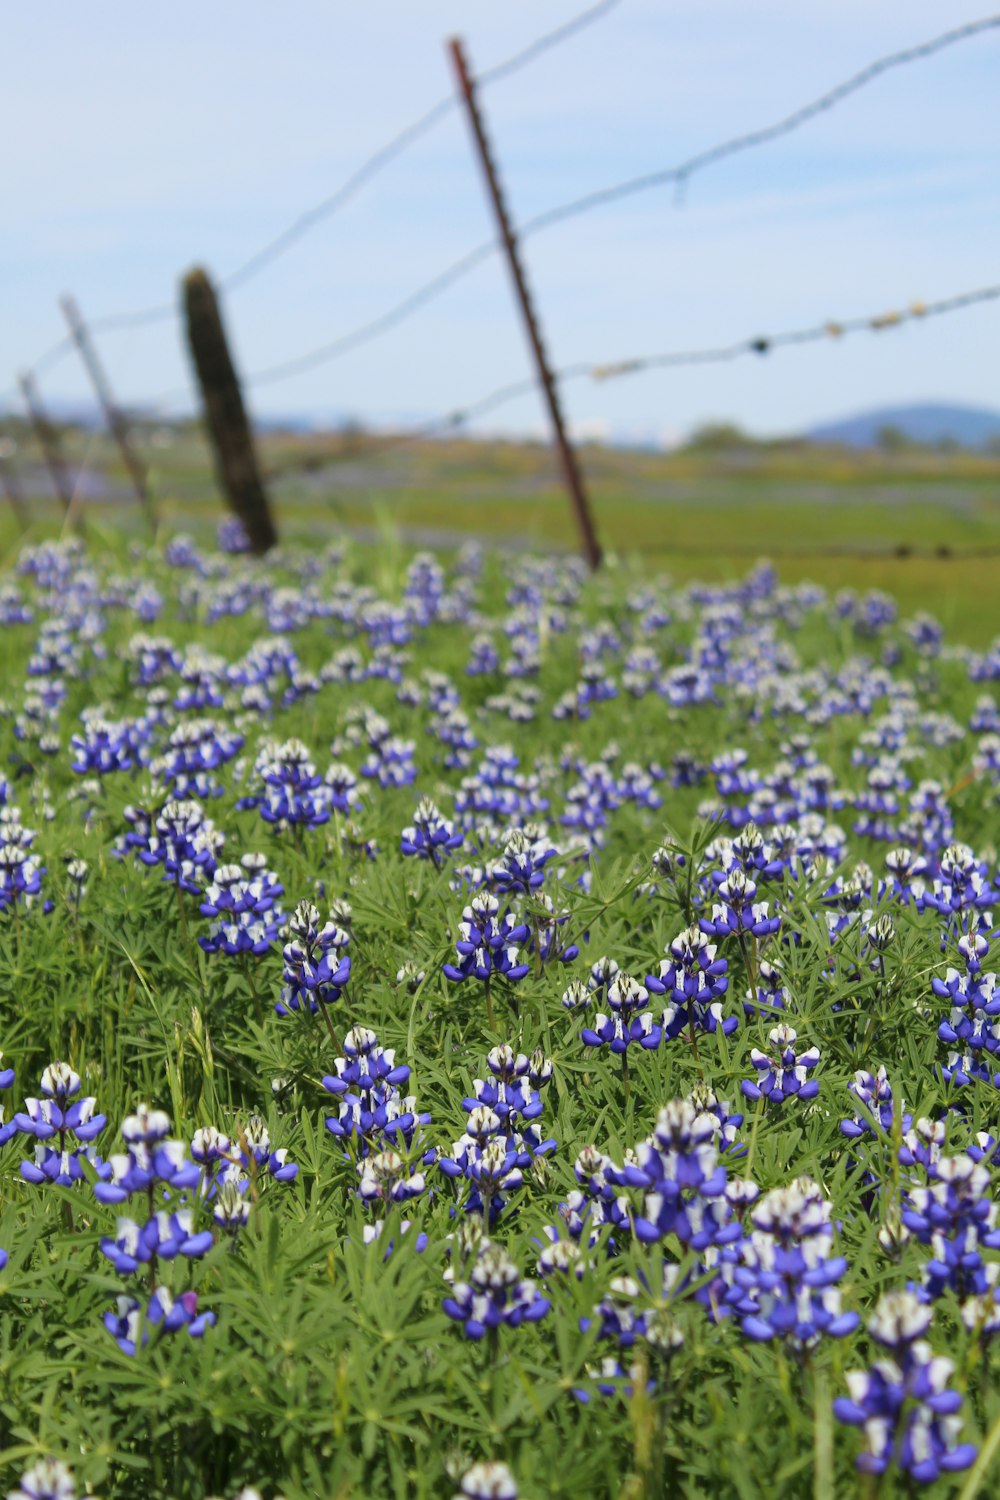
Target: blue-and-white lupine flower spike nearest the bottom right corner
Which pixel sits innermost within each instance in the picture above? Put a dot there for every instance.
(903, 1403)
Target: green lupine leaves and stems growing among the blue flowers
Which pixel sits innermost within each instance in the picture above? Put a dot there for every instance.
(332, 1370)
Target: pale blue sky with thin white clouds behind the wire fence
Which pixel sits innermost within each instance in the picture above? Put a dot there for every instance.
(154, 137)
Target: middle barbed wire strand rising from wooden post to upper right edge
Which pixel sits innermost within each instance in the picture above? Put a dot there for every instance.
(434, 289)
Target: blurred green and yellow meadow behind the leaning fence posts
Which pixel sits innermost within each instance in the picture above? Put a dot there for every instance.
(920, 523)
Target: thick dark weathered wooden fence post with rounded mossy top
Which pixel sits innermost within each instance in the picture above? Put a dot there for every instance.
(226, 415)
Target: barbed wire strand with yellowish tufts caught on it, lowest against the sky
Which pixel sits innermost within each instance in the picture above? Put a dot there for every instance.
(714, 355)
